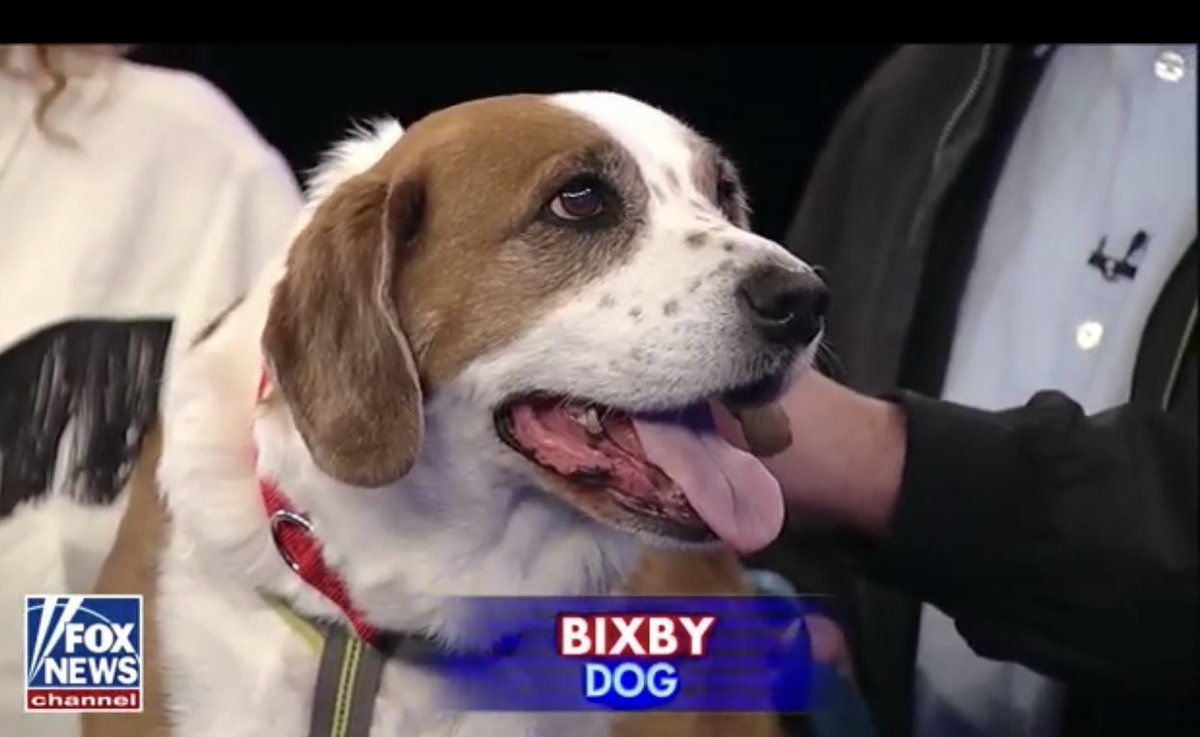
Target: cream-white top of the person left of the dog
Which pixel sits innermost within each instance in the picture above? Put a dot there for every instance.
(166, 208)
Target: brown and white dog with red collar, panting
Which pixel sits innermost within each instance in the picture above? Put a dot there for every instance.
(483, 367)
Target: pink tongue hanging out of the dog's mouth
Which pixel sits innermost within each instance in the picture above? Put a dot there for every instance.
(736, 496)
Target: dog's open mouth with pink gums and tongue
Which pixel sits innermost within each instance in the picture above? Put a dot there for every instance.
(670, 474)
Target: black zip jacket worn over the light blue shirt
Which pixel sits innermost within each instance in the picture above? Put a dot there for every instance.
(1063, 542)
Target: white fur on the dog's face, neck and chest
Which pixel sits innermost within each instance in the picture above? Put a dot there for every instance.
(467, 520)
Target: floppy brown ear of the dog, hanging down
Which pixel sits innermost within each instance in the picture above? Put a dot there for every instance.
(334, 339)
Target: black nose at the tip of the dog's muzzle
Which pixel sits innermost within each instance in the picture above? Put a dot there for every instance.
(785, 307)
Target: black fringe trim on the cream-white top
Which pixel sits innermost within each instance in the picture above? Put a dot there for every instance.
(77, 400)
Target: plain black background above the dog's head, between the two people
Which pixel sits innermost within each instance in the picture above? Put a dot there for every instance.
(771, 106)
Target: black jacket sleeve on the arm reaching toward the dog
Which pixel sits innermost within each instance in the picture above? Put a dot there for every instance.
(1059, 541)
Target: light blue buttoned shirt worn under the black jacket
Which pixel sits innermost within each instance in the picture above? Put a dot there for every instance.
(1108, 149)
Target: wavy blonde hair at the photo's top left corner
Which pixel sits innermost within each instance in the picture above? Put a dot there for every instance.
(55, 67)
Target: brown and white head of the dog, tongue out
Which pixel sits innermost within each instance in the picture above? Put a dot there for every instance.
(578, 272)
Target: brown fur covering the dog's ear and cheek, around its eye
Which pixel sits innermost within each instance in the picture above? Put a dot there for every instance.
(452, 224)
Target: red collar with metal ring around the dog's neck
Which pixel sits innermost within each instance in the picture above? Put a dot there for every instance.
(302, 550)
